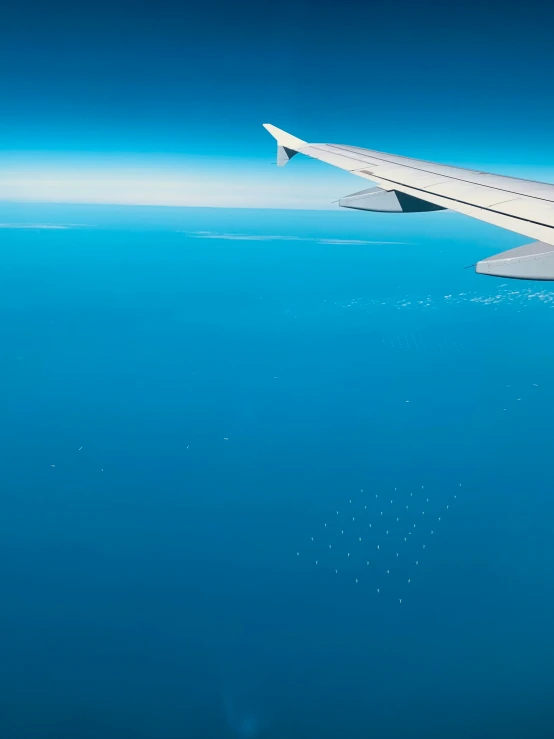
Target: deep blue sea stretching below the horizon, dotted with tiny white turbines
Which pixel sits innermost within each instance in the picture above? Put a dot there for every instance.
(230, 394)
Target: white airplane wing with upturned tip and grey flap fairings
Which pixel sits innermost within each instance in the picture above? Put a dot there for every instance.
(414, 185)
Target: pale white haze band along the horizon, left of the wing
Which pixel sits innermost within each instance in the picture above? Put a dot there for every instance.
(249, 186)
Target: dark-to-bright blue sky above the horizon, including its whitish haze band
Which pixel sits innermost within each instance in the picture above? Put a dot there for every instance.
(163, 103)
